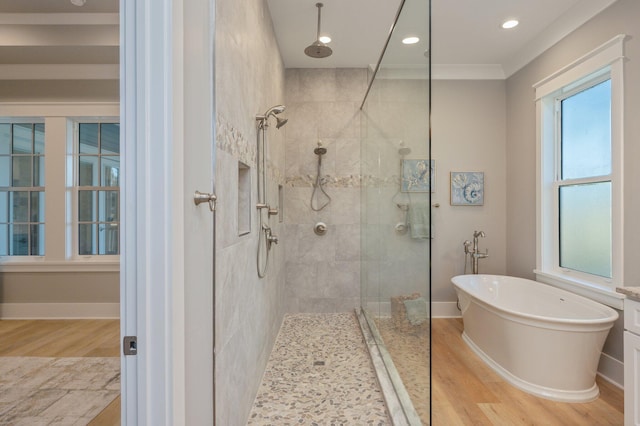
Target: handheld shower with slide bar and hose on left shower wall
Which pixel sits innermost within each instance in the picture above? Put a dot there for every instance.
(266, 238)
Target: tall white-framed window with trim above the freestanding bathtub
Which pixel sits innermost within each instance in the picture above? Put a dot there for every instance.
(579, 219)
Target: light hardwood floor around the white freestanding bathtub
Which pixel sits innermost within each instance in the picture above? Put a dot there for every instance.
(467, 392)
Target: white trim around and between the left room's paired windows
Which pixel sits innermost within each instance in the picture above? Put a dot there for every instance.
(58, 259)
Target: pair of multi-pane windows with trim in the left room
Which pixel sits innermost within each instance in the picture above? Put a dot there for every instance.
(72, 223)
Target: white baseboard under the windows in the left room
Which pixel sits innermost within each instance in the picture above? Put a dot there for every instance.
(59, 310)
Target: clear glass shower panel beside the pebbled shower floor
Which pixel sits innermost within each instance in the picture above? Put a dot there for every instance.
(397, 173)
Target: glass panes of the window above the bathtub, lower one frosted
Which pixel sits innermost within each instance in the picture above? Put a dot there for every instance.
(584, 179)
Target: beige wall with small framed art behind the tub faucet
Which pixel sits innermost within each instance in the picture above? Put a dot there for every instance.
(468, 134)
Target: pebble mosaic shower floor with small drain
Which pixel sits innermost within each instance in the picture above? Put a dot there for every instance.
(319, 373)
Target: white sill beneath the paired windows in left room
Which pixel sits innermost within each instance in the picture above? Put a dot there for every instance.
(38, 265)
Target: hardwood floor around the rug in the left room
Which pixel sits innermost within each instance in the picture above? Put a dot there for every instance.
(65, 338)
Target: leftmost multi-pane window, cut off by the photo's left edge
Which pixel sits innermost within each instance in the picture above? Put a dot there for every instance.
(22, 189)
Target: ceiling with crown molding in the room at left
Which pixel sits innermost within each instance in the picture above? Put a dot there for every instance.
(55, 40)
